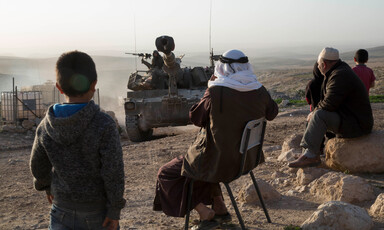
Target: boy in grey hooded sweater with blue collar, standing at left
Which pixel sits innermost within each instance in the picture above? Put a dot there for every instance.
(76, 156)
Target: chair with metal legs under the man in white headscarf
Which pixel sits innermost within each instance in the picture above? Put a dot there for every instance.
(253, 135)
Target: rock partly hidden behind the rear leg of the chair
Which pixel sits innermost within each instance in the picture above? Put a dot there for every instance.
(249, 195)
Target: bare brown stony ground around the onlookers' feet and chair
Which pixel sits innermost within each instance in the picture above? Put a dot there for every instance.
(21, 207)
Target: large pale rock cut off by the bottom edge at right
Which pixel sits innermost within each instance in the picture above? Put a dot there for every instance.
(335, 215)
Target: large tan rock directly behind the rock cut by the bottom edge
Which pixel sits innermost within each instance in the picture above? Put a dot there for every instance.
(341, 187)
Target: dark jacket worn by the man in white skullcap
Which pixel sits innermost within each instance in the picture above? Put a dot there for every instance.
(343, 92)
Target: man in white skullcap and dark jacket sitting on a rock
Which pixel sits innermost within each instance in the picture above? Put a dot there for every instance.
(344, 108)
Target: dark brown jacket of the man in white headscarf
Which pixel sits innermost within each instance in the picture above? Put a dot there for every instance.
(214, 156)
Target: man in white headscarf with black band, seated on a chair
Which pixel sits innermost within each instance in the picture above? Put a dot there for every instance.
(234, 97)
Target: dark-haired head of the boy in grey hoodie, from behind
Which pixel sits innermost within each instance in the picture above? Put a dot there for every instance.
(75, 72)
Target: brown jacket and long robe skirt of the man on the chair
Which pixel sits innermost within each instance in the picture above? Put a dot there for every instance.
(222, 113)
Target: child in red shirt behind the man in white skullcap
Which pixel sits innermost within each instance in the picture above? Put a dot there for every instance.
(365, 73)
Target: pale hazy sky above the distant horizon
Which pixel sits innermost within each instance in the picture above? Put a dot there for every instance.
(50, 27)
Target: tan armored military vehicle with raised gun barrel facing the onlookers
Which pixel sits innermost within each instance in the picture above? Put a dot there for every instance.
(163, 97)
